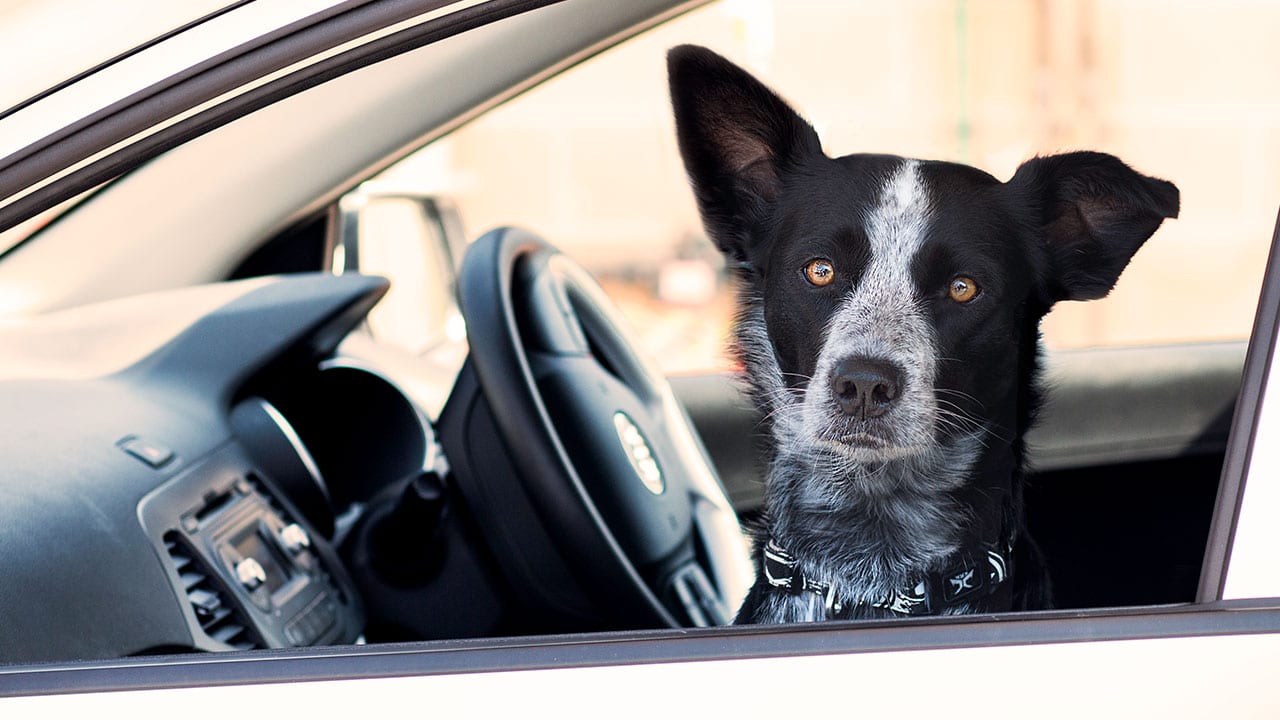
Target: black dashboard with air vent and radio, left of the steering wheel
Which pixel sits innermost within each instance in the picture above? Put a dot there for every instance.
(154, 500)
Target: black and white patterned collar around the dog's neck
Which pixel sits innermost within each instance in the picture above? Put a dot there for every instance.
(972, 577)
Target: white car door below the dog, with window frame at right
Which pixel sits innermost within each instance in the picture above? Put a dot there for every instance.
(1214, 655)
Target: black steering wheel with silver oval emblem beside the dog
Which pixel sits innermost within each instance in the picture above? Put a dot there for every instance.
(607, 459)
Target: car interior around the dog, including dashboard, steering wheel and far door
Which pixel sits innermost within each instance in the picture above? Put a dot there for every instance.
(221, 441)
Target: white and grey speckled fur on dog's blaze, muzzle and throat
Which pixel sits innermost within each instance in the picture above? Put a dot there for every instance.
(865, 520)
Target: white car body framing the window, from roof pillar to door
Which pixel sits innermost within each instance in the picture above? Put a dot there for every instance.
(1218, 657)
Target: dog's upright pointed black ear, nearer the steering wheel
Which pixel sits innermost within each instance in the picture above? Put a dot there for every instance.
(738, 139)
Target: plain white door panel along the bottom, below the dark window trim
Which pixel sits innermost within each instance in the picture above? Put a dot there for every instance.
(1213, 676)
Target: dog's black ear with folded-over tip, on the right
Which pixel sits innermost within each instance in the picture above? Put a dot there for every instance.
(1095, 213)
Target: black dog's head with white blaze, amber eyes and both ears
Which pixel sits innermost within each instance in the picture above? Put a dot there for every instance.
(894, 304)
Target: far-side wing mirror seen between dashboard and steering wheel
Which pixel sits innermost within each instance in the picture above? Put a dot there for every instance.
(415, 240)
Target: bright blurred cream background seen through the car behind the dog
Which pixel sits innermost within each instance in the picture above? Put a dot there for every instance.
(1182, 90)
